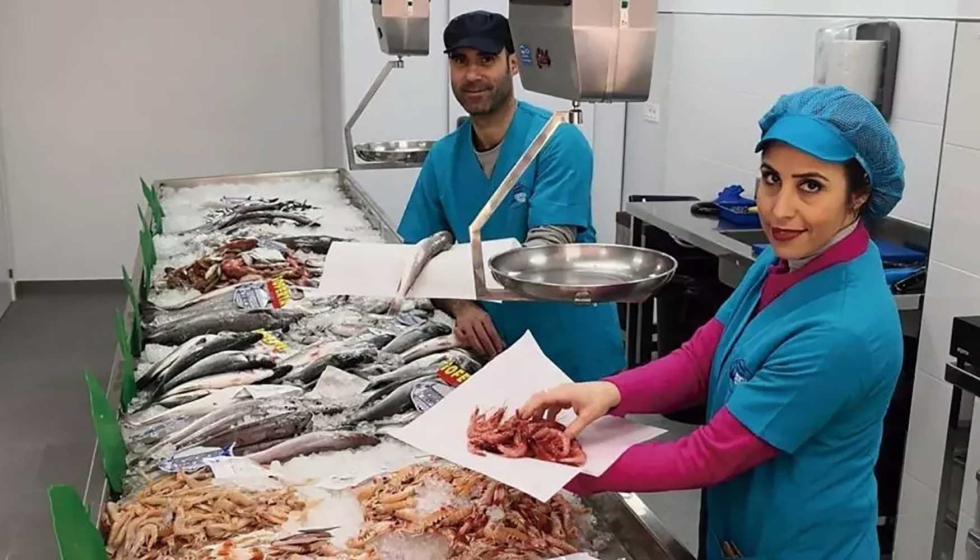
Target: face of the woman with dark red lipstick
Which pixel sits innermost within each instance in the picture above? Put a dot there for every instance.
(803, 201)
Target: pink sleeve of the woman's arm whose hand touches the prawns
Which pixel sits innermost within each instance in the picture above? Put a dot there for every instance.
(674, 382)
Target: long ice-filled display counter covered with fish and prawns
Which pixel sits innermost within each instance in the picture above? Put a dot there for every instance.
(262, 410)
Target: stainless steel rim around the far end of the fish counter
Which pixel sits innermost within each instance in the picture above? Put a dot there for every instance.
(345, 182)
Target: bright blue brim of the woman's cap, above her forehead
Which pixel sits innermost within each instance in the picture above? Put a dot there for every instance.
(811, 135)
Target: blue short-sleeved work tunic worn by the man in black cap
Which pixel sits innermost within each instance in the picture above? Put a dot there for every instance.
(583, 340)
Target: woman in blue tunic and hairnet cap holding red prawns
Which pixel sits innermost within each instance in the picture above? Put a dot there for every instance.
(798, 366)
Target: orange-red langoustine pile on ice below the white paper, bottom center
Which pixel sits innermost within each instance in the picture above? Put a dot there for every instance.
(484, 520)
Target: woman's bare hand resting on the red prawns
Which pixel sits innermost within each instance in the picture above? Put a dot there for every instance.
(590, 401)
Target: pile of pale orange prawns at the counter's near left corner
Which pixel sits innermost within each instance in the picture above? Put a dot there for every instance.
(178, 515)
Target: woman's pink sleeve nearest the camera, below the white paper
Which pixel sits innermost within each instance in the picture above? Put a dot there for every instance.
(714, 453)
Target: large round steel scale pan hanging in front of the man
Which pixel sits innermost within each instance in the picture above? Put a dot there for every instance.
(583, 272)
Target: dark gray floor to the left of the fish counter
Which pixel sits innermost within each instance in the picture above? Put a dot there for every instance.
(46, 342)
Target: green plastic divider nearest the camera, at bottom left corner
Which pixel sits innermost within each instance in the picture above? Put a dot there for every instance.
(78, 538)
